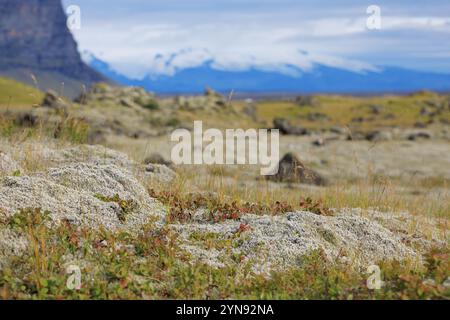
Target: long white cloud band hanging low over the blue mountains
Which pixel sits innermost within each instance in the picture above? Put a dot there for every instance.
(137, 48)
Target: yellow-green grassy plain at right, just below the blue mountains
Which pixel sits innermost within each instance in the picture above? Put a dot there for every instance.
(359, 113)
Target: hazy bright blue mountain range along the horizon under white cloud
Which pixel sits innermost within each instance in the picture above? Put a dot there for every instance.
(321, 79)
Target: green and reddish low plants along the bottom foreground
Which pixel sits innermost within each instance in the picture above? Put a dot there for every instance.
(153, 266)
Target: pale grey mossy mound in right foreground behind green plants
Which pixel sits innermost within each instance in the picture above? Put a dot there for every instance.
(280, 242)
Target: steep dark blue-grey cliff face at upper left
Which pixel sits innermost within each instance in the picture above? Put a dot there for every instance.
(34, 38)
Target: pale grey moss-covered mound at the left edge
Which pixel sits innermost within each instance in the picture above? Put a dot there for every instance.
(87, 185)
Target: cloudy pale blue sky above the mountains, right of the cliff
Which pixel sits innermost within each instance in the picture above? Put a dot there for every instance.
(154, 37)
